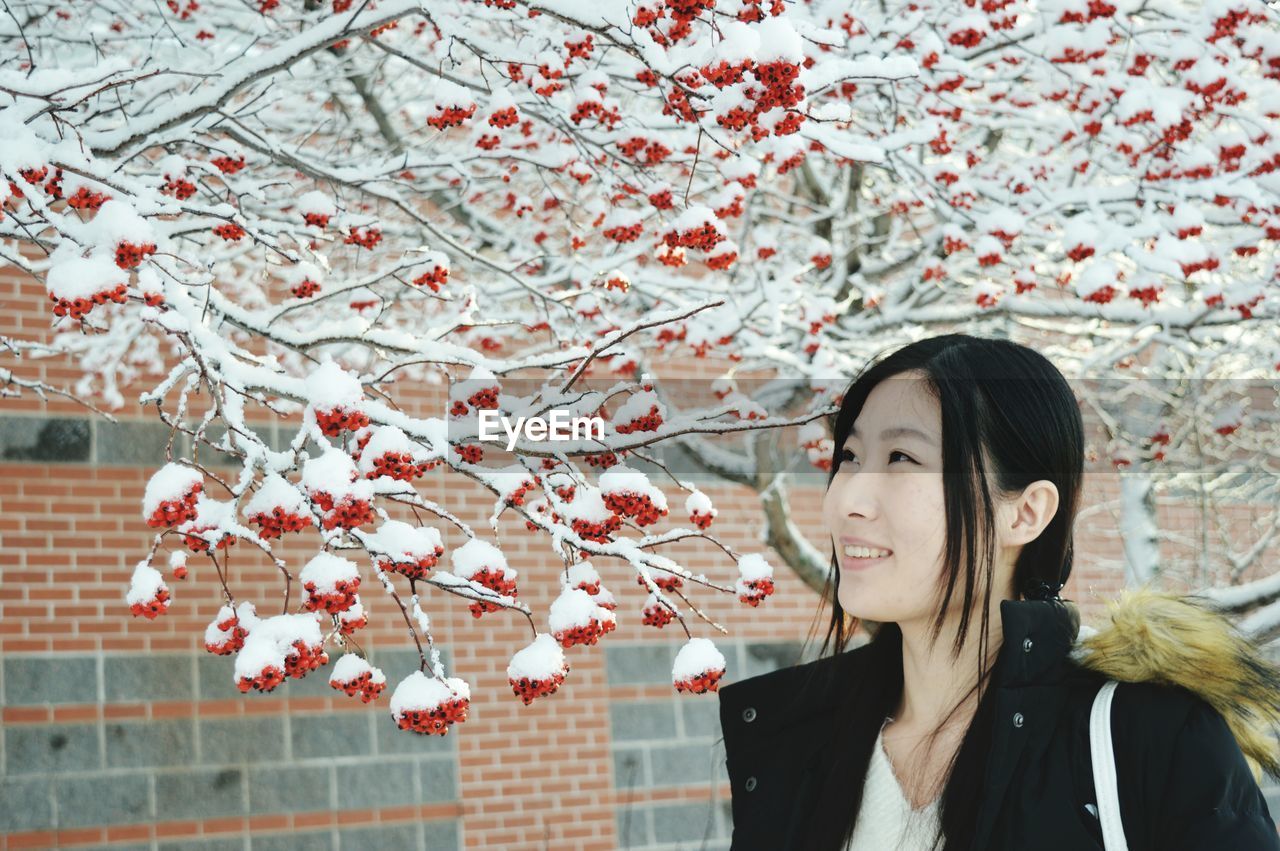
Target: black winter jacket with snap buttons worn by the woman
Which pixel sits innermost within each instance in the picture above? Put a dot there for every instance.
(1185, 781)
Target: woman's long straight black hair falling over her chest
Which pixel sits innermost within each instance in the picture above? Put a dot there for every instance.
(1009, 419)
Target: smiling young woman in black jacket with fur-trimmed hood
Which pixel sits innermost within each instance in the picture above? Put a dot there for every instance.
(964, 722)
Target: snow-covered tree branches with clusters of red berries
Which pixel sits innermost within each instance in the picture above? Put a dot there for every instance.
(305, 204)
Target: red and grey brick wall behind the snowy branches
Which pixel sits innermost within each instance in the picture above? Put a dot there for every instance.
(125, 734)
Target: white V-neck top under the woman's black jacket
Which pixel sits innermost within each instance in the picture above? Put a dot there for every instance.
(886, 821)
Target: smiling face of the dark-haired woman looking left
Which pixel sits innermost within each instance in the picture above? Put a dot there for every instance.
(889, 492)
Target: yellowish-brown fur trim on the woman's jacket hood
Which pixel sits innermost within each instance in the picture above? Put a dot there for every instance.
(1173, 639)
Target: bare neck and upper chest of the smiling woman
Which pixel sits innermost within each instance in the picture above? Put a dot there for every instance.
(934, 683)
